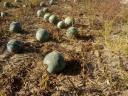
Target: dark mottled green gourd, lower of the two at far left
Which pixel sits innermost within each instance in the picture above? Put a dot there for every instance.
(14, 46)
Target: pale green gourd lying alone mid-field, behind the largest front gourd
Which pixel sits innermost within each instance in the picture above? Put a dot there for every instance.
(42, 35)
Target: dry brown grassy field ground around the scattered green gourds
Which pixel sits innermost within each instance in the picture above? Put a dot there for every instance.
(96, 61)
